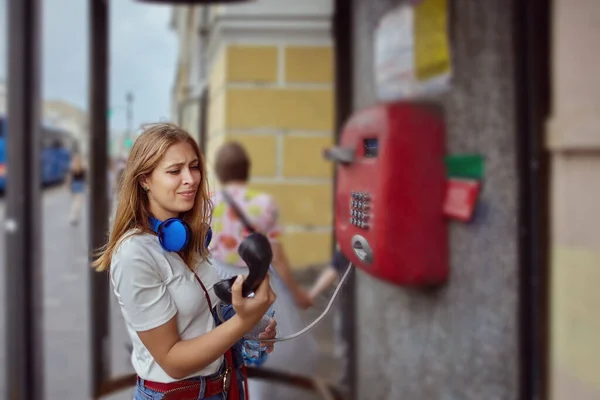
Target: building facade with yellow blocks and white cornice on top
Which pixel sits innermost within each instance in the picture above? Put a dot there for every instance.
(266, 69)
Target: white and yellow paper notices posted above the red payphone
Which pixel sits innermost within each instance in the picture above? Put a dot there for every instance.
(412, 55)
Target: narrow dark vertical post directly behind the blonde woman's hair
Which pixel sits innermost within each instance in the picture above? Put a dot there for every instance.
(98, 283)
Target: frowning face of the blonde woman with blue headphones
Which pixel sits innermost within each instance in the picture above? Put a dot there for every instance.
(173, 185)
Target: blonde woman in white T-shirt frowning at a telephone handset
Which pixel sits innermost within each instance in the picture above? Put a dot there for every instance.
(167, 296)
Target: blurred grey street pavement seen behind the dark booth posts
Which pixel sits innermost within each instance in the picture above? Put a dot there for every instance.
(66, 307)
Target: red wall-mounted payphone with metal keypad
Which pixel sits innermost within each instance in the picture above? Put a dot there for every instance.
(390, 193)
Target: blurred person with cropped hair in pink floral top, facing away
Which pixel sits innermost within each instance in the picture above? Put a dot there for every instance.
(238, 210)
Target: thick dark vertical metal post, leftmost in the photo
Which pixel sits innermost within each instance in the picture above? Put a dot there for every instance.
(23, 301)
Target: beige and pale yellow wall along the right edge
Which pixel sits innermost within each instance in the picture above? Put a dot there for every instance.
(574, 143)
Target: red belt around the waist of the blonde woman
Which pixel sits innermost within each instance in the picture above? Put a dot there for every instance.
(190, 389)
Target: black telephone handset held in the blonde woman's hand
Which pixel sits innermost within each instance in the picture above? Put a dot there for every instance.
(256, 252)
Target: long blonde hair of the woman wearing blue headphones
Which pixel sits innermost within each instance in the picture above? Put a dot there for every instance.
(133, 210)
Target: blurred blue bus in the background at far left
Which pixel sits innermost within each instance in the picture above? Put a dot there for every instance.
(55, 154)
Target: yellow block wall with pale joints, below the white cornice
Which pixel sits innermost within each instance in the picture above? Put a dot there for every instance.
(278, 101)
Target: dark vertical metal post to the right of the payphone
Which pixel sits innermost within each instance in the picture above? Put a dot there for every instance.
(532, 33)
